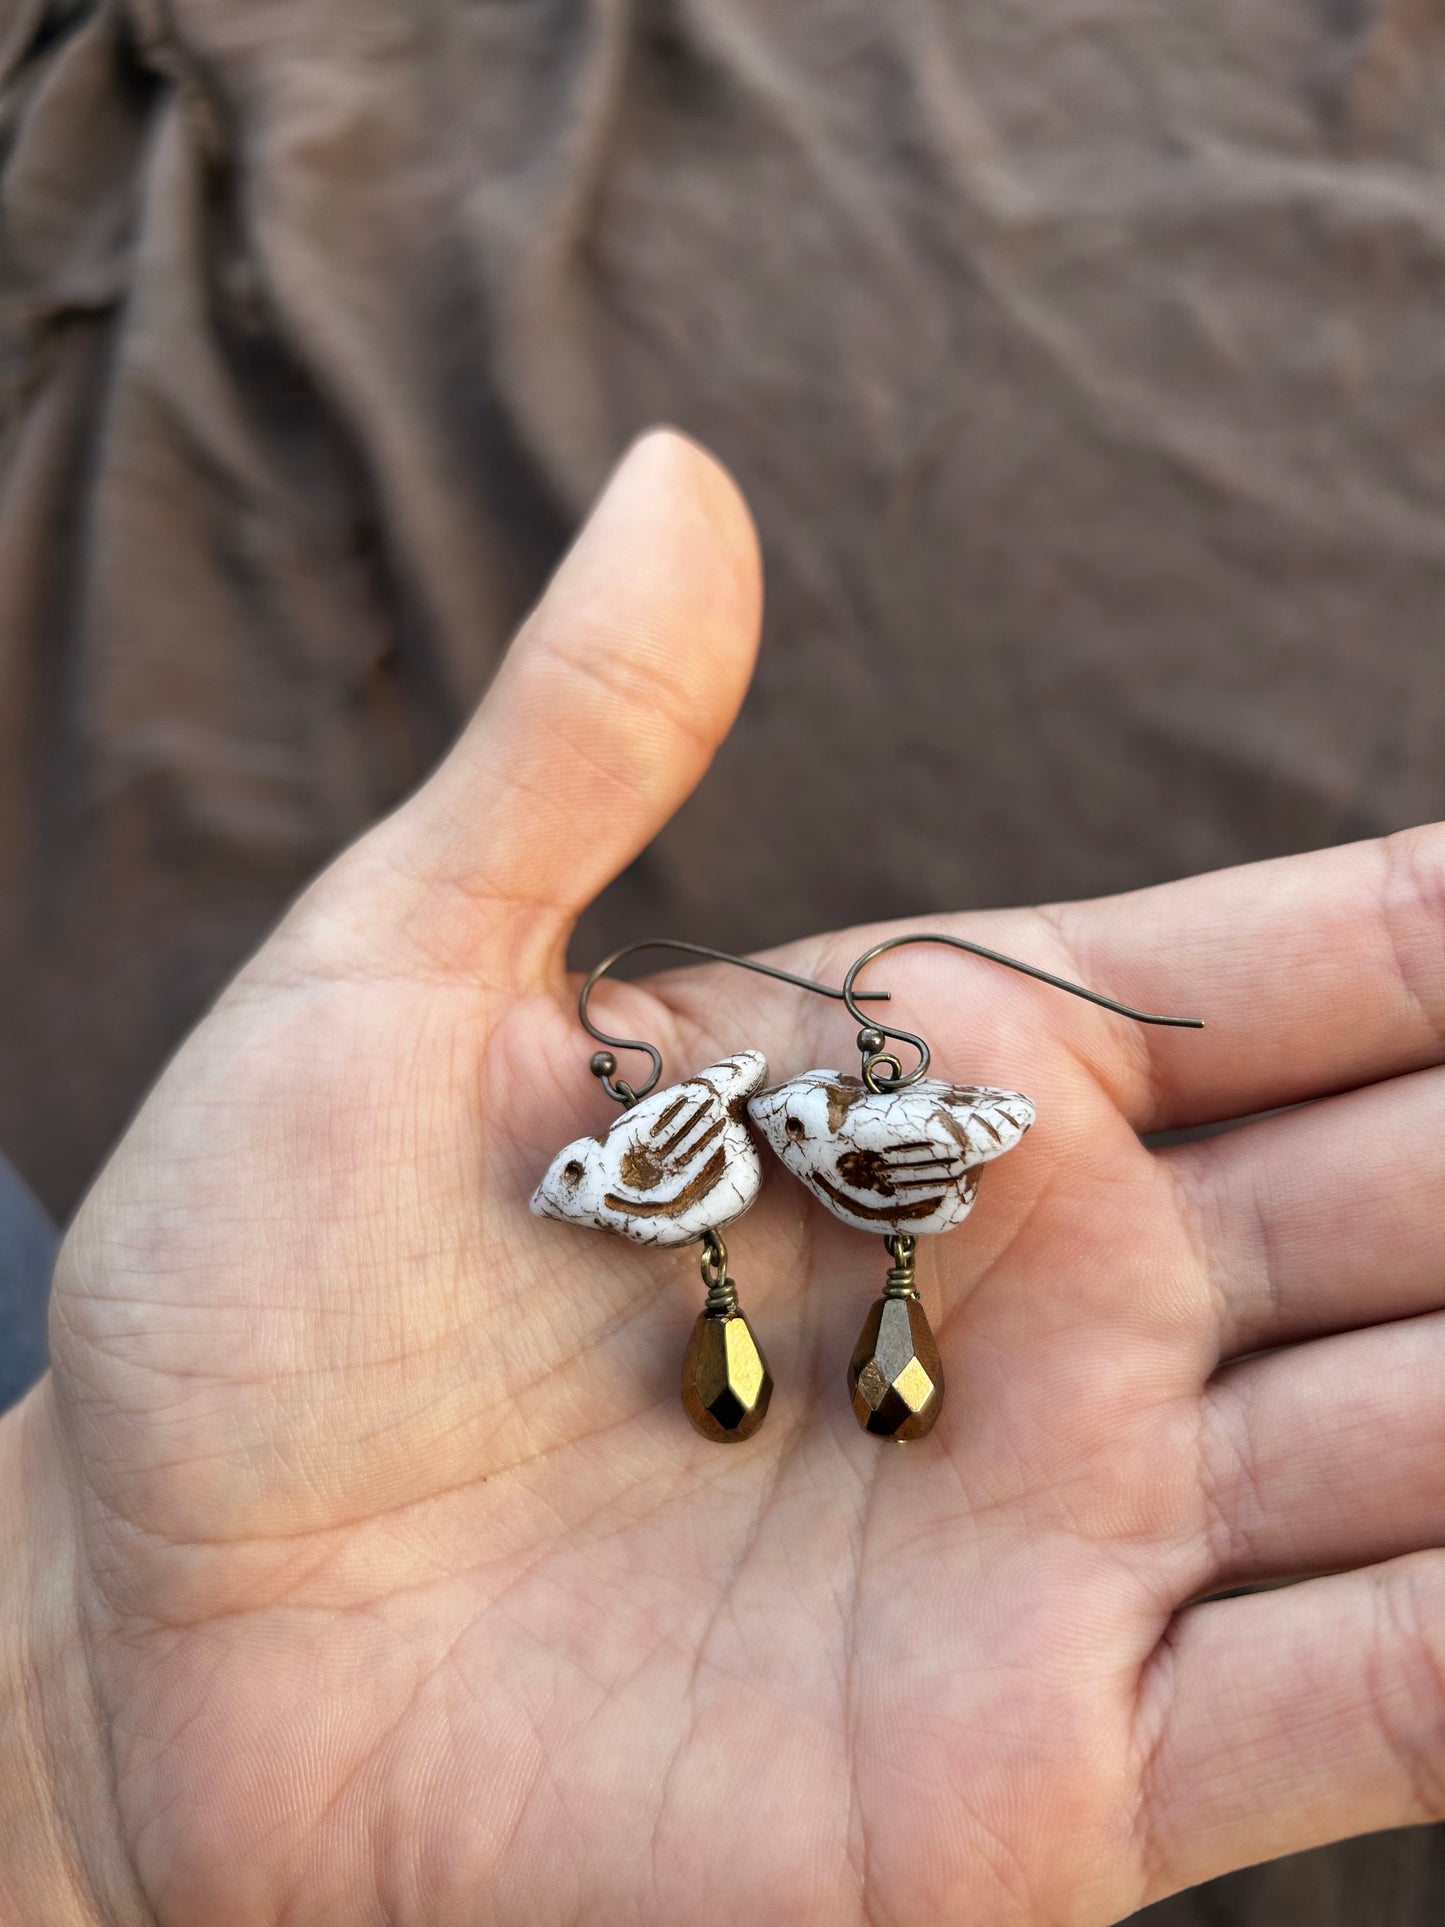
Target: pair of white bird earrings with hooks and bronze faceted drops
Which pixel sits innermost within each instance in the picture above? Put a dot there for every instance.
(887, 1151)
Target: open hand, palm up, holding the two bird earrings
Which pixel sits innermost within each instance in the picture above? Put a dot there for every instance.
(407, 1595)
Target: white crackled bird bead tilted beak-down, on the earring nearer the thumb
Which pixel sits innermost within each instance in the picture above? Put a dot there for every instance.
(673, 1167)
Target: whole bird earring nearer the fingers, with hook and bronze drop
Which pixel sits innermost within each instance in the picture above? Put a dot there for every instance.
(901, 1153)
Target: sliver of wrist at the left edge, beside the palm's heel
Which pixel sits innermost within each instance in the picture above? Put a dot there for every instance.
(63, 1861)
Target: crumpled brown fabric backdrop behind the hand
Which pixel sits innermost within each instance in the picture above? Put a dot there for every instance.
(1084, 365)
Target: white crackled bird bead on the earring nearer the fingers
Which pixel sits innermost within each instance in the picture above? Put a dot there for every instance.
(891, 1161)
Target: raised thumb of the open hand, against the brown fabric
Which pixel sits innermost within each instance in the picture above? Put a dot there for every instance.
(600, 724)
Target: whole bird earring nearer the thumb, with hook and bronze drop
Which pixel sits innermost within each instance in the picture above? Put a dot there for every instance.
(671, 1171)
